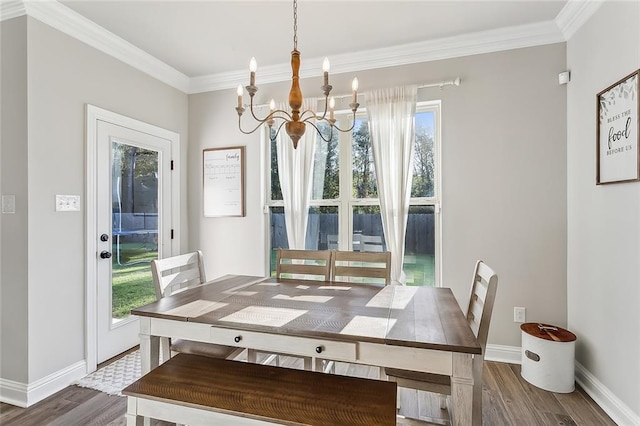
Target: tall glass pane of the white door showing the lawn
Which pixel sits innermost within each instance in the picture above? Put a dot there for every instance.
(134, 180)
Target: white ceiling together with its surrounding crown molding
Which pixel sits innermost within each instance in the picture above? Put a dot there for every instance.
(206, 45)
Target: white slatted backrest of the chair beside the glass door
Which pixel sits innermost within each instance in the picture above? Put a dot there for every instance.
(177, 273)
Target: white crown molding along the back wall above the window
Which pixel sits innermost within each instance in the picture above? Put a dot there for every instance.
(451, 47)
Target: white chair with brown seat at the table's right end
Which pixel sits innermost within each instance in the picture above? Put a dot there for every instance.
(483, 293)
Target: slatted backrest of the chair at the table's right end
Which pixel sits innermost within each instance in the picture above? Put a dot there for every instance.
(483, 294)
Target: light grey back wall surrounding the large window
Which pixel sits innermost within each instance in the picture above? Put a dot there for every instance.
(504, 176)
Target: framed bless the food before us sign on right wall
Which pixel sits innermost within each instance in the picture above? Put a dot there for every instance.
(618, 126)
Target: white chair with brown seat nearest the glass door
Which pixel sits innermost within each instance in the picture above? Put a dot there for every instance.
(172, 275)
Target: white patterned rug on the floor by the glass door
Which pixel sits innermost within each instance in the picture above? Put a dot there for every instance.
(114, 377)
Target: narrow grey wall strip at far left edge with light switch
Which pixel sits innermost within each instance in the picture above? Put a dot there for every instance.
(13, 150)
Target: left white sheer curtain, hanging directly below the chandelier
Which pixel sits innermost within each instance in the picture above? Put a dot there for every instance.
(295, 167)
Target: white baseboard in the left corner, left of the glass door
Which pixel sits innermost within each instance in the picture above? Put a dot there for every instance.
(23, 395)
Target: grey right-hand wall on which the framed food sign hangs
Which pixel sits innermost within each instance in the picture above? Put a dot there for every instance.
(604, 221)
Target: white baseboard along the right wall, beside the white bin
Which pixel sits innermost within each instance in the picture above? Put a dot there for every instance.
(611, 404)
